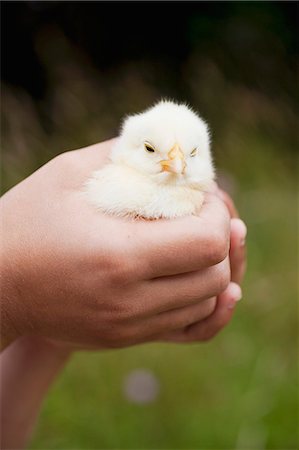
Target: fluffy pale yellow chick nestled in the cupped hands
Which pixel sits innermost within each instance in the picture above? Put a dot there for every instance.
(159, 167)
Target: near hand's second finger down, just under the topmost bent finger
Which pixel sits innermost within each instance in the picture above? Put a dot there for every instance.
(177, 291)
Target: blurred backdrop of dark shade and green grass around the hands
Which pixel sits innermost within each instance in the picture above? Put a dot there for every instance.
(70, 71)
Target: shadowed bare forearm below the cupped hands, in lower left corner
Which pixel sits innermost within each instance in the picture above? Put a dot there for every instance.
(28, 367)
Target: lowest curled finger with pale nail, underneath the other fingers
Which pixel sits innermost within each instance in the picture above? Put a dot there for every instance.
(206, 329)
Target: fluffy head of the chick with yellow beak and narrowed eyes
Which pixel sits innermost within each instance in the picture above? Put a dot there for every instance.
(168, 142)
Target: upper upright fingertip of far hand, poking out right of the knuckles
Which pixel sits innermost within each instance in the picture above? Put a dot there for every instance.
(238, 250)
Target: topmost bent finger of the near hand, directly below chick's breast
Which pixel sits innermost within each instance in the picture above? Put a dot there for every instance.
(168, 247)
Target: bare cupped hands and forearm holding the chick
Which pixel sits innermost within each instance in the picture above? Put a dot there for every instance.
(73, 278)
